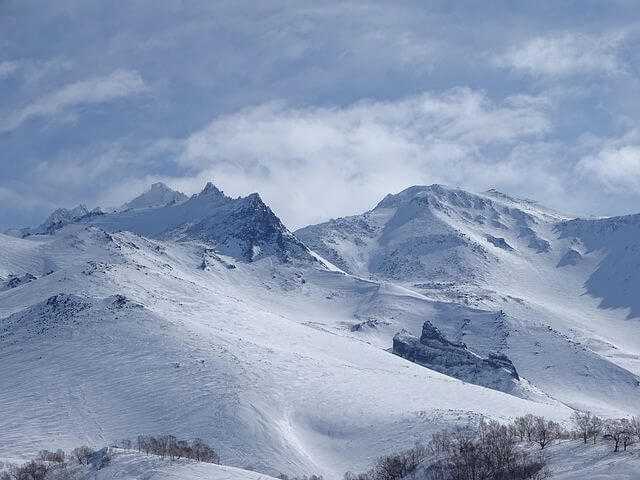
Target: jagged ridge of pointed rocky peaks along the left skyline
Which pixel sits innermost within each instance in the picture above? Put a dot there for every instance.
(244, 228)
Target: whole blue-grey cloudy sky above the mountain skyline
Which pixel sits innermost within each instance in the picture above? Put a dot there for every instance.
(322, 107)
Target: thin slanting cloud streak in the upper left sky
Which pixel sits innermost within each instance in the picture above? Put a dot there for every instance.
(119, 84)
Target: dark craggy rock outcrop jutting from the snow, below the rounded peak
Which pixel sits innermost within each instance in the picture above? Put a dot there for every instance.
(436, 352)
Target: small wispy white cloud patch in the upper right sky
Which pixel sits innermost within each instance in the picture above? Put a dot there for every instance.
(565, 54)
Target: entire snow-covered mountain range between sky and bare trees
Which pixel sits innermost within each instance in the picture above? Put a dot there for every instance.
(205, 317)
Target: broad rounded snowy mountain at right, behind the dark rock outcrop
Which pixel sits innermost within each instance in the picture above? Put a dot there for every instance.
(508, 276)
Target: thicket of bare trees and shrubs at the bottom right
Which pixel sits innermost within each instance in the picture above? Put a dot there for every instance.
(491, 450)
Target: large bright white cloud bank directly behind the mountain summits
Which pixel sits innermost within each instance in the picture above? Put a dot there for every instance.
(314, 163)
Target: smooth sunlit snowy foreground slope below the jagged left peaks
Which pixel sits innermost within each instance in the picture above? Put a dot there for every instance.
(253, 359)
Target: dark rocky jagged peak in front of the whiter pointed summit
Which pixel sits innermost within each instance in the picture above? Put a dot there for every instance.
(244, 228)
